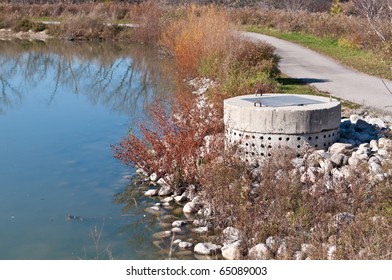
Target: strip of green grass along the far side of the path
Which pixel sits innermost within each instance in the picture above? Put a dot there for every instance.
(361, 60)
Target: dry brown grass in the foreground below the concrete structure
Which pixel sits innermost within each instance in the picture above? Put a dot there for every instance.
(278, 204)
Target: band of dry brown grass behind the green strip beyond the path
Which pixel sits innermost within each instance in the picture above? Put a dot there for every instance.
(354, 31)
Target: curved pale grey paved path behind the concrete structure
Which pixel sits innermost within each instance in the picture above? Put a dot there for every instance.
(328, 75)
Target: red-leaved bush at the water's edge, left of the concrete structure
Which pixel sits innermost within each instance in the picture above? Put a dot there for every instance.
(176, 141)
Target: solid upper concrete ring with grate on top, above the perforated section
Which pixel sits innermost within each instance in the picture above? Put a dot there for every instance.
(282, 113)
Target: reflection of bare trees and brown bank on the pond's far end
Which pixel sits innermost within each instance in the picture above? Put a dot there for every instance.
(122, 77)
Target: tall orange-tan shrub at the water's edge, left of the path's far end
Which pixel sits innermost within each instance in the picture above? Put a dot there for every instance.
(199, 38)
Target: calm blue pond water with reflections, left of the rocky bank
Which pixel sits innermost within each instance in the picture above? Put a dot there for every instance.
(62, 106)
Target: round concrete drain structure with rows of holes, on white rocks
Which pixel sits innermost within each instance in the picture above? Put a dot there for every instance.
(258, 123)
